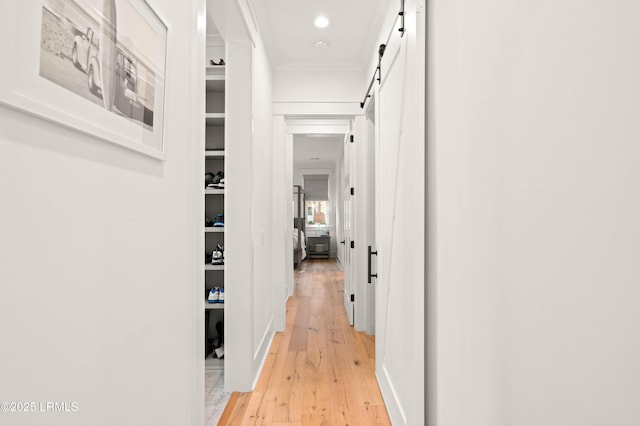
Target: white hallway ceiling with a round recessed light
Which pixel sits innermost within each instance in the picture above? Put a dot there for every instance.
(288, 30)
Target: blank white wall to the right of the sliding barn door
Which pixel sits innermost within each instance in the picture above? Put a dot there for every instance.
(533, 185)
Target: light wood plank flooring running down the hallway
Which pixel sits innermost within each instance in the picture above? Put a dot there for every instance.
(319, 371)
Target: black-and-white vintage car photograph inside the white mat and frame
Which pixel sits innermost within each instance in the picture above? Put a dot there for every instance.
(102, 51)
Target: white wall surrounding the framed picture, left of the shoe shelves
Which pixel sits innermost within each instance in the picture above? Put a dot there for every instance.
(99, 263)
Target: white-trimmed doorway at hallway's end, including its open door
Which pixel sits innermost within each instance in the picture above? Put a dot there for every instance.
(343, 149)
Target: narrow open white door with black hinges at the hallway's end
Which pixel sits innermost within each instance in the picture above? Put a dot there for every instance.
(348, 217)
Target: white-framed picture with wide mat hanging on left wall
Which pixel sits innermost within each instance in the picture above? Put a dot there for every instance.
(96, 66)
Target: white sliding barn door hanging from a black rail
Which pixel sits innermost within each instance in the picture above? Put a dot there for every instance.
(399, 224)
